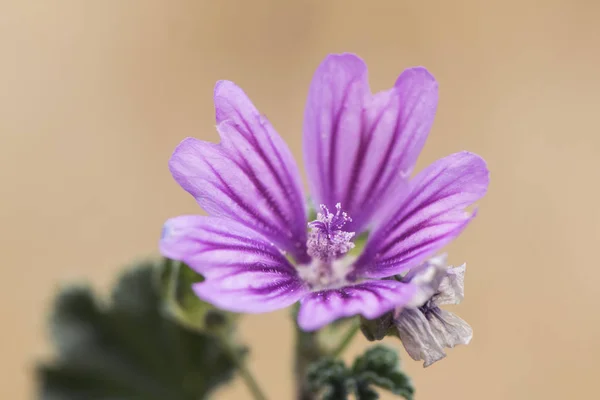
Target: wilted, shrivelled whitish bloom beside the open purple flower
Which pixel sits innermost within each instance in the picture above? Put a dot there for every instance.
(425, 329)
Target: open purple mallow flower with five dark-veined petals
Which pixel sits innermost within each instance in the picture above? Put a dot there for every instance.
(255, 250)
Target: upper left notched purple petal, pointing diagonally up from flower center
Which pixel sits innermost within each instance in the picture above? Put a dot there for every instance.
(250, 176)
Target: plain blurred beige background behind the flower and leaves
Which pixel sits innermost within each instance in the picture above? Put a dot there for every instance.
(94, 96)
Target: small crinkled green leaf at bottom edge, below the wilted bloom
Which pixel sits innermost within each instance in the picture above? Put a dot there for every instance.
(377, 367)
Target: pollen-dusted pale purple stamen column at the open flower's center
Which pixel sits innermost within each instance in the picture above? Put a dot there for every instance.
(327, 243)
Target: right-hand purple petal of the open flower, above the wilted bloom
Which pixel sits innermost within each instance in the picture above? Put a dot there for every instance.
(433, 213)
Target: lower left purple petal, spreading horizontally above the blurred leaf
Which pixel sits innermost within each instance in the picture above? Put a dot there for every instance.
(243, 271)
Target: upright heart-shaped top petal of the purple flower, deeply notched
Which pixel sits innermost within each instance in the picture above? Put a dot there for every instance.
(359, 148)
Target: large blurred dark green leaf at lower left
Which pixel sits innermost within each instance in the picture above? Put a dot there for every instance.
(127, 349)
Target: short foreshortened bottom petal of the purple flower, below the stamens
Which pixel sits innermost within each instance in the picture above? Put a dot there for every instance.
(370, 299)
